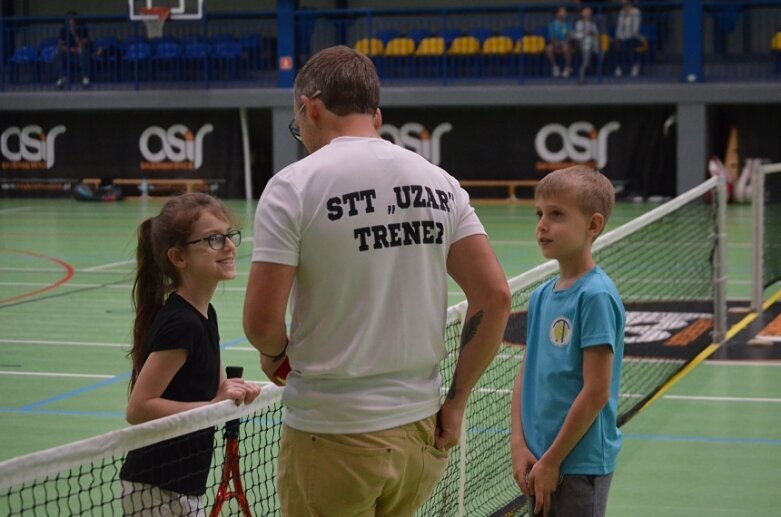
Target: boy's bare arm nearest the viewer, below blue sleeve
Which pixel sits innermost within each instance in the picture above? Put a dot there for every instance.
(597, 373)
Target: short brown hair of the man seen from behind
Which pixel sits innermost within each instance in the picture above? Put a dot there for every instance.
(346, 78)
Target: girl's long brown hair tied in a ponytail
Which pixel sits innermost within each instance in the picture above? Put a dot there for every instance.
(156, 276)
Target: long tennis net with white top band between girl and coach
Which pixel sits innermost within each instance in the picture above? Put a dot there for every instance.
(668, 266)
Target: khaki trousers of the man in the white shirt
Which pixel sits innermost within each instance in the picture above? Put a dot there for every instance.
(390, 472)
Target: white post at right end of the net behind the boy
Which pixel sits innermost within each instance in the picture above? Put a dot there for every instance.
(719, 266)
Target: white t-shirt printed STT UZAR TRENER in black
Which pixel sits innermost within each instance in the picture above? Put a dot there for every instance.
(369, 225)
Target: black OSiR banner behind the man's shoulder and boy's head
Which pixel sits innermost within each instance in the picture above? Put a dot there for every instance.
(632, 145)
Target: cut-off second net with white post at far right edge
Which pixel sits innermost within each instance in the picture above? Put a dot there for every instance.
(766, 207)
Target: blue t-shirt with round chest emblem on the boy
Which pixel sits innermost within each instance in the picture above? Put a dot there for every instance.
(560, 325)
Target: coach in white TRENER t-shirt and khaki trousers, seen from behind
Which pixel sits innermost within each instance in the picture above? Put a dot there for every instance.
(364, 234)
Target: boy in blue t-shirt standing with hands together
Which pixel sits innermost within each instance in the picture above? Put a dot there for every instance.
(564, 434)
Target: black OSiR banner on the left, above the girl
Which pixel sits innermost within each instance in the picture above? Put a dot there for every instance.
(45, 152)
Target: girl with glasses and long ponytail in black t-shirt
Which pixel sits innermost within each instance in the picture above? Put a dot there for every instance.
(182, 254)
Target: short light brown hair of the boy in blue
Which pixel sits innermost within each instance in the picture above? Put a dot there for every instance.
(592, 189)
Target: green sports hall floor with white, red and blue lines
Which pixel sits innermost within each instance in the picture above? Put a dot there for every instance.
(710, 446)
